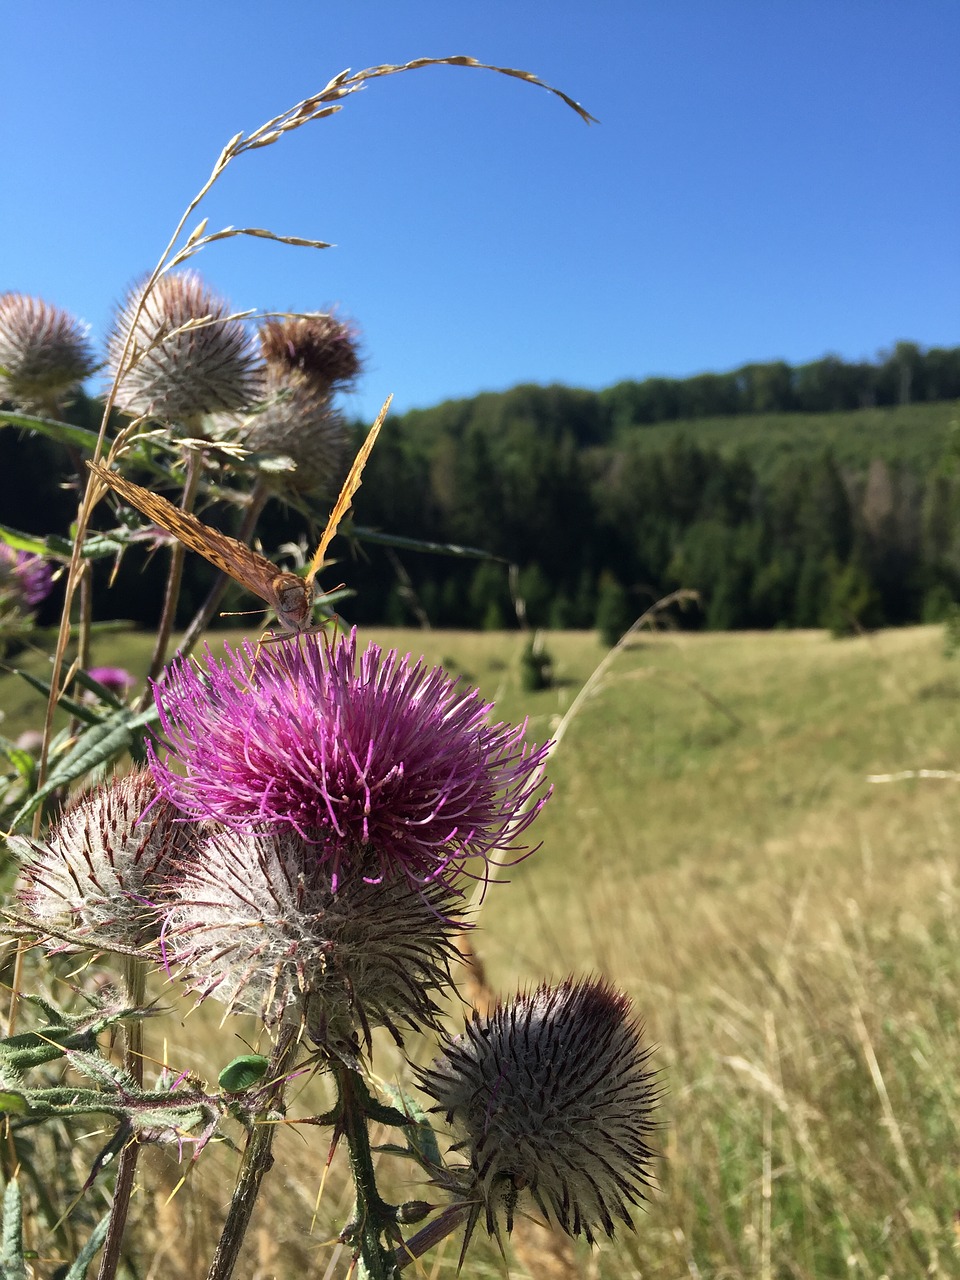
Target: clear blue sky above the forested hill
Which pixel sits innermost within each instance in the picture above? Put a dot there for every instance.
(769, 179)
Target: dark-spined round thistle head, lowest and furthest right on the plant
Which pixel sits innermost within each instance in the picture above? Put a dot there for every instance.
(554, 1096)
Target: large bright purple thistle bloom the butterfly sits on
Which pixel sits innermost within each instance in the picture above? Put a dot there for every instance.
(383, 757)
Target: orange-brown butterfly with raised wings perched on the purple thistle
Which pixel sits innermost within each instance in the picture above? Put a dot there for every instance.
(289, 596)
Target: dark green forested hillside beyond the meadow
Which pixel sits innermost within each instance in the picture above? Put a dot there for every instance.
(825, 495)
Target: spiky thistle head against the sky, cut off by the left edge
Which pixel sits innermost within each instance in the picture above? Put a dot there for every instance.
(44, 353)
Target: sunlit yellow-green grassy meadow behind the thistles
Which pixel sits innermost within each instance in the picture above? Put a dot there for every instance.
(788, 927)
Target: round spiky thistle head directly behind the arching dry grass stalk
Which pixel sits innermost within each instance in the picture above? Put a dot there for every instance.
(189, 355)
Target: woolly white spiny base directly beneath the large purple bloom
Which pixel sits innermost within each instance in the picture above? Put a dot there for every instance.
(259, 926)
